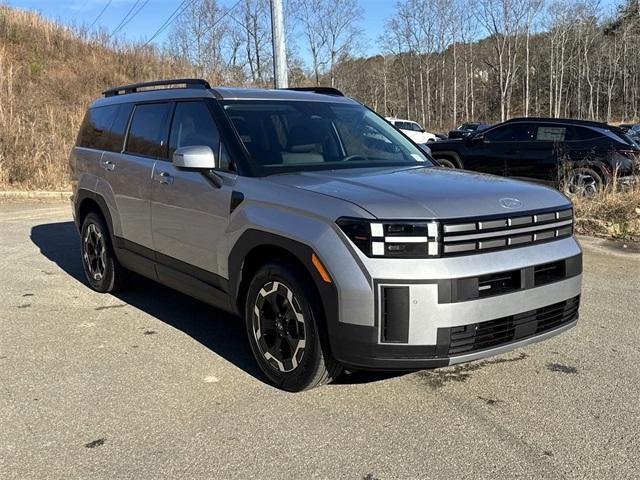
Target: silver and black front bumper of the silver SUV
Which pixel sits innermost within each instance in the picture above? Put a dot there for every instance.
(451, 318)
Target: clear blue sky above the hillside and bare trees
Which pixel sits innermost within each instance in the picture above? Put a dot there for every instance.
(157, 11)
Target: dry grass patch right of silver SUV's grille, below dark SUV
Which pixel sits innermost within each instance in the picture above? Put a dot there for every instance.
(613, 214)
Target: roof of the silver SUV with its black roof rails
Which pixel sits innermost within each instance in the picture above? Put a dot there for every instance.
(197, 88)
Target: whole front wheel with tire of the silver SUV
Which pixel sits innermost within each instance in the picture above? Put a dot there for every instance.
(282, 317)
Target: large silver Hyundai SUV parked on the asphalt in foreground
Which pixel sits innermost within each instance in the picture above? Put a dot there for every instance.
(330, 232)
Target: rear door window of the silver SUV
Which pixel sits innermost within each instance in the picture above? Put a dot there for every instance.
(148, 129)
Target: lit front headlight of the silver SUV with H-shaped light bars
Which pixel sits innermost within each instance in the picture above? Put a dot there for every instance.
(396, 239)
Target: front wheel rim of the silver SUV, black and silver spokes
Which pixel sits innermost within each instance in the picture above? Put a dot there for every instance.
(279, 327)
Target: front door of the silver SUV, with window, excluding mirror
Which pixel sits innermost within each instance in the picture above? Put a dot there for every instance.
(189, 212)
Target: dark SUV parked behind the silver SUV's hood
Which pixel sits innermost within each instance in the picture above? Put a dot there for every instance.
(577, 156)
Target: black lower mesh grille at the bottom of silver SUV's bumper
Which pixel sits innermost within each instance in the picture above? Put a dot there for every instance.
(480, 336)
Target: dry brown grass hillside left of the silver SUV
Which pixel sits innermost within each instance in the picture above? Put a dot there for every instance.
(48, 75)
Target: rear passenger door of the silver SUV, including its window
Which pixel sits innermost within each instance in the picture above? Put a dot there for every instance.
(131, 171)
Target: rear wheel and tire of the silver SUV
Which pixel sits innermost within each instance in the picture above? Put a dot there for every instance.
(101, 267)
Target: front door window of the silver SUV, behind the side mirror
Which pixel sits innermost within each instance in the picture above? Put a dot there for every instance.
(192, 125)
